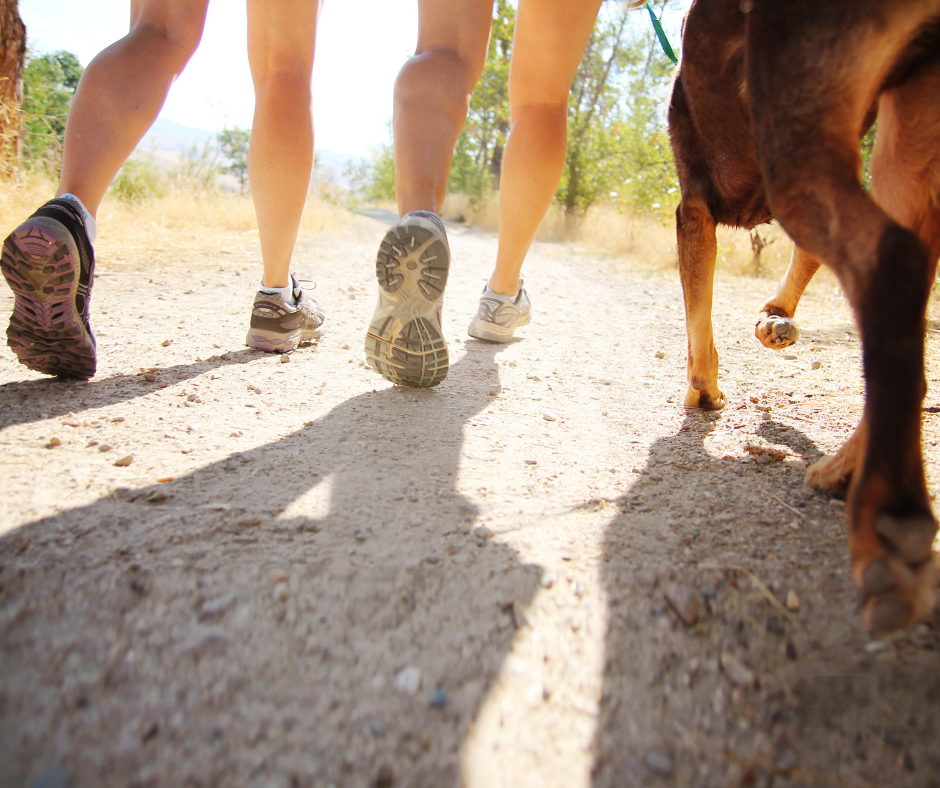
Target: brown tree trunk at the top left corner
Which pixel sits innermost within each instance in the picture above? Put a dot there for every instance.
(12, 59)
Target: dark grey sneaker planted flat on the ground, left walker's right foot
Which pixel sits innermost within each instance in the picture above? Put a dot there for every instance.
(278, 327)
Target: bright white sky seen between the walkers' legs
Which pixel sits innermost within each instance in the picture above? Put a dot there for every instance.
(361, 46)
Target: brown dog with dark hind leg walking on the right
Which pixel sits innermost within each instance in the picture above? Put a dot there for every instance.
(769, 105)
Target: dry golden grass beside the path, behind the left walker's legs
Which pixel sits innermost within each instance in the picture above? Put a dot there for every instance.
(181, 224)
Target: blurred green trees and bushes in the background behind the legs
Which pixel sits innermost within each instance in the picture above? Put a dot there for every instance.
(618, 192)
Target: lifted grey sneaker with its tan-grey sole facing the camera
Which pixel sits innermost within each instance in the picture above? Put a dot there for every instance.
(405, 343)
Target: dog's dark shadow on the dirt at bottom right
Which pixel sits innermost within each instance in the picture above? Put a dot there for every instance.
(710, 683)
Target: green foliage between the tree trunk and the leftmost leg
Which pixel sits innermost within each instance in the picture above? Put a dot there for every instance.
(49, 83)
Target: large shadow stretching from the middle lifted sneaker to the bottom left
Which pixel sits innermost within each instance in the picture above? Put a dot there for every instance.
(312, 611)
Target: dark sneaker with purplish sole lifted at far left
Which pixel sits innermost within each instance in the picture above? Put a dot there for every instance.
(49, 264)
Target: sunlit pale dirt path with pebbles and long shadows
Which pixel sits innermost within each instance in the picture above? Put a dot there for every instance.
(544, 572)
